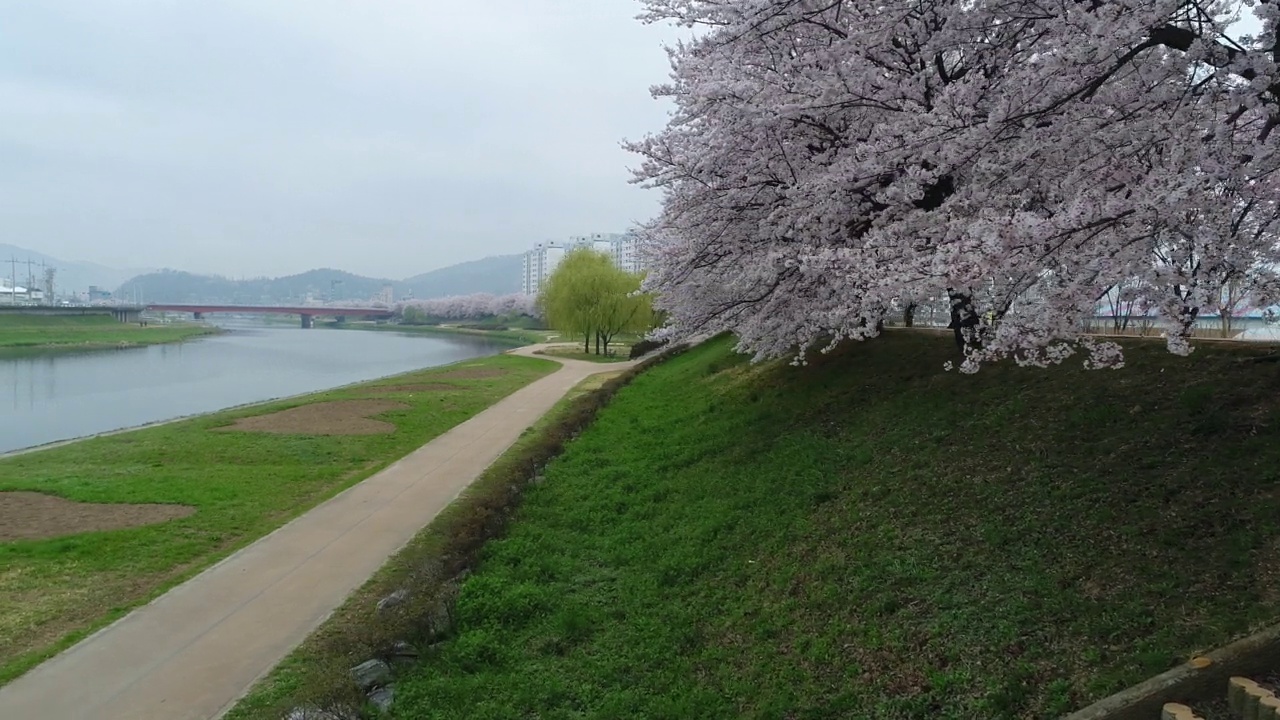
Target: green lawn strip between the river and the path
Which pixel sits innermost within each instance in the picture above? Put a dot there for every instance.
(243, 486)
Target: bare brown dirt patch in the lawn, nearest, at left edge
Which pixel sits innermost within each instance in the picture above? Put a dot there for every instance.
(33, 516)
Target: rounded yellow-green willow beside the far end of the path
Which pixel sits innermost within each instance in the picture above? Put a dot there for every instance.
(591, 297)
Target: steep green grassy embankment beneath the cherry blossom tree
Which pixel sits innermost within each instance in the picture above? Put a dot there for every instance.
(871, 537)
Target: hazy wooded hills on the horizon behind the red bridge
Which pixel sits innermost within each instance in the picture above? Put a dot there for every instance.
(499, 276)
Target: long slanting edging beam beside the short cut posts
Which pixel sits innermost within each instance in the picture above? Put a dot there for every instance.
(1201, 678)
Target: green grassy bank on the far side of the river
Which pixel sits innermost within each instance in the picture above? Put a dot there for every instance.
(88, 331)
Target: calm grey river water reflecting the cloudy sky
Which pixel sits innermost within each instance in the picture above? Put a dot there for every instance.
(56, 397)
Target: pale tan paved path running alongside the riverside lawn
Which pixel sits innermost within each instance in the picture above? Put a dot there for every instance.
(193, 653)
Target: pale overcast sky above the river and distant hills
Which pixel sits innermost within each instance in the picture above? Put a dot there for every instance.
(386, 138)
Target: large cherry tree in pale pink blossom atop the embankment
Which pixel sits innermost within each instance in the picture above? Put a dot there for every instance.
(830, 161)
